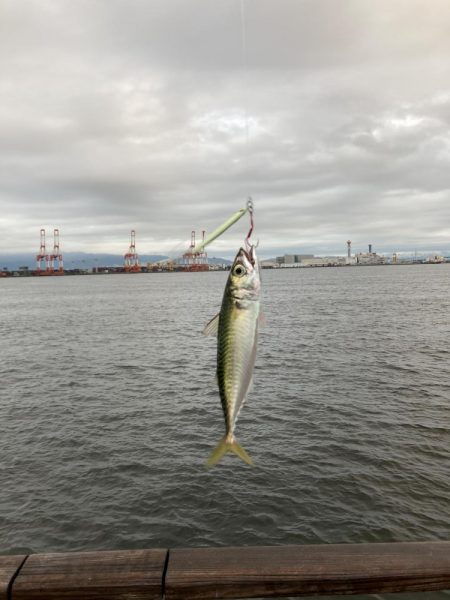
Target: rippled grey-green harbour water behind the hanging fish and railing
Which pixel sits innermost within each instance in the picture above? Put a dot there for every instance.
(109, 409)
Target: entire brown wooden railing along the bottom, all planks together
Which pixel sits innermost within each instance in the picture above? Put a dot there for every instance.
(244, 572)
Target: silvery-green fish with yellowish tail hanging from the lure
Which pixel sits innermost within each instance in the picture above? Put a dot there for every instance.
(236, 328)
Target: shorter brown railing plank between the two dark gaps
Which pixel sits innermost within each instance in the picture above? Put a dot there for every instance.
(118, 575)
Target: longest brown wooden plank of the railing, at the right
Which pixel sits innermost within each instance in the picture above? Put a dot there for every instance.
(266, 572)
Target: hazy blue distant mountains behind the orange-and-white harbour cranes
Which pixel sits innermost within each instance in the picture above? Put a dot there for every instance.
(83, 260)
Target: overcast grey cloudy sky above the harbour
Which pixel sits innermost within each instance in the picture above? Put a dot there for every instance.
(164, 115)
